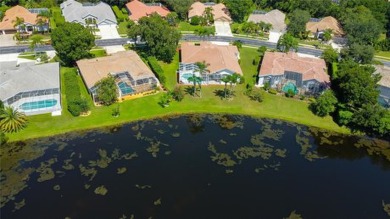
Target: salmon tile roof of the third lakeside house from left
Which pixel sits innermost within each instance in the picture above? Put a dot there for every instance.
(218, 57)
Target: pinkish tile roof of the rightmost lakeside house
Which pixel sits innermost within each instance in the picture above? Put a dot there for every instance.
(276, 63)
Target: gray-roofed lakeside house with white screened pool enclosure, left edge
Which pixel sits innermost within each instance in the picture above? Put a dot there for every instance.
(32, 89)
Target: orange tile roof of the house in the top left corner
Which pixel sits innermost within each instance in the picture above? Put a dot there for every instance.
(17, 11)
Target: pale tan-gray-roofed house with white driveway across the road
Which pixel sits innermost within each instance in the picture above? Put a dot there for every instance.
(275, 18)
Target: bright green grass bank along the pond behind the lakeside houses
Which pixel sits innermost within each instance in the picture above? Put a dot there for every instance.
(273, 106)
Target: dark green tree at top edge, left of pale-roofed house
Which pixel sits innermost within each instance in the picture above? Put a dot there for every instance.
(239, 9)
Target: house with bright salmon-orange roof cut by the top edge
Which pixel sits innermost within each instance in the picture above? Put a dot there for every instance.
(138, 9)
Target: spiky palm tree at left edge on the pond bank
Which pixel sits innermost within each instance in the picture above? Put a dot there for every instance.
(11, 120)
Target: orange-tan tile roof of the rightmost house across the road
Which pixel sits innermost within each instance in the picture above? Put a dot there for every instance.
(325, 23)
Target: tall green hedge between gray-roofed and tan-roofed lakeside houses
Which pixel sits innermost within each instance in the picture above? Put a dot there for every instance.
(76, 104)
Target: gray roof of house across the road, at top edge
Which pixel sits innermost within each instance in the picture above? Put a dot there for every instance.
(74, 11)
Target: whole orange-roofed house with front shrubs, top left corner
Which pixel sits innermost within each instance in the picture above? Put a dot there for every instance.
(30, 21)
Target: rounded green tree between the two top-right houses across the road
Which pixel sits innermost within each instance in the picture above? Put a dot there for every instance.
(298, 20)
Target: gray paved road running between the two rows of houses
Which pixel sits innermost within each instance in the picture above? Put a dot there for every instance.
(121, 41)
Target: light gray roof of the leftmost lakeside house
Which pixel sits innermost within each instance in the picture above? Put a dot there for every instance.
(27, 77)
